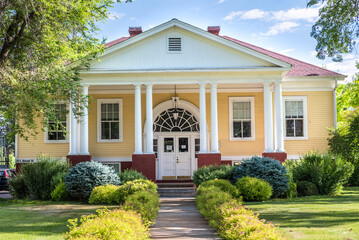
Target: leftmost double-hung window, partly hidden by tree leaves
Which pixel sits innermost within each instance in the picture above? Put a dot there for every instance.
(56, 128)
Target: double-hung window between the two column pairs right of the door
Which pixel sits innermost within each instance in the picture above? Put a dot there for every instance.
(241, 118)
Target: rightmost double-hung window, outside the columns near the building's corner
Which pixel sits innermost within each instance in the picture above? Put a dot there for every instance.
(295, 117)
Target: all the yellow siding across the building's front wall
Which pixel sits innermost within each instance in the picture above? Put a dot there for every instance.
(320, 116)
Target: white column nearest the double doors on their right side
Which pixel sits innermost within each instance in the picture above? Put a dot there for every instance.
(202, 124)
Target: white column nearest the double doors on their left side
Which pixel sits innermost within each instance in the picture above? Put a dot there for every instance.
(149, 120)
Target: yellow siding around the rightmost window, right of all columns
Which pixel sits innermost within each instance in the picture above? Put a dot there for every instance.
(320, 117)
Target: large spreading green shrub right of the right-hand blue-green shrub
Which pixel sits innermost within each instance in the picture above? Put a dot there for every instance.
(328, 173)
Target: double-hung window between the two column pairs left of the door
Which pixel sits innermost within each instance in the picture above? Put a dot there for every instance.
(109, 120)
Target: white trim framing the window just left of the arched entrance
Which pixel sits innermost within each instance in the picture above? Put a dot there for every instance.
(113, 100)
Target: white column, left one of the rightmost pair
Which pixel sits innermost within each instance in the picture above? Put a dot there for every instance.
(268, 118)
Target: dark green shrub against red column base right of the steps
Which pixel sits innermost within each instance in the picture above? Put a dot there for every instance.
(207, 173)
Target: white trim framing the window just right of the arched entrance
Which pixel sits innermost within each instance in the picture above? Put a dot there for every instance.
(241, 99)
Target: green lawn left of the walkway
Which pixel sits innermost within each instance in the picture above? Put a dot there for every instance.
(38, 220)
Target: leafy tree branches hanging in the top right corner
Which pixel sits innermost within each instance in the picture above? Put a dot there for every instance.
(337, 29)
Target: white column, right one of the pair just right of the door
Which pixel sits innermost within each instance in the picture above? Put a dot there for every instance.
(214, 119)
